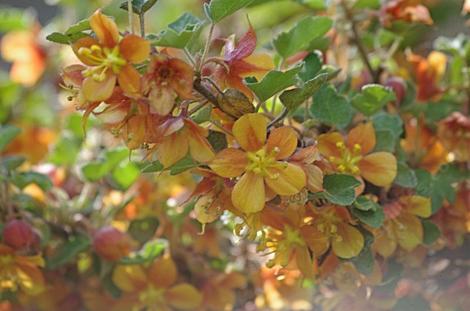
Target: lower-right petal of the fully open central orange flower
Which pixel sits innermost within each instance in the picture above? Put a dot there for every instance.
(287, 180)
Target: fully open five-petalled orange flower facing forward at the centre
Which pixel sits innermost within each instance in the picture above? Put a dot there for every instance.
(260, 164)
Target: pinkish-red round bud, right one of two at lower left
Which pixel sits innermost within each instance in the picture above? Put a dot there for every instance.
(112, 244)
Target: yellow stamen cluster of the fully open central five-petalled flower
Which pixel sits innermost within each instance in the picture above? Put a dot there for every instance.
(261, 161)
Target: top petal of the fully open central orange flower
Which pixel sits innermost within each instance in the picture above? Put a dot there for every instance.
(250, 131)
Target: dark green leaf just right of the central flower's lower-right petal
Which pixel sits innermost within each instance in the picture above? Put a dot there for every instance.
(339, 189)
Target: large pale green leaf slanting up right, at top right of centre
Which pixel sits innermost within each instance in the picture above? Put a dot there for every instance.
(301, 35)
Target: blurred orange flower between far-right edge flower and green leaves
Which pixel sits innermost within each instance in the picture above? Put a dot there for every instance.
(422, 146)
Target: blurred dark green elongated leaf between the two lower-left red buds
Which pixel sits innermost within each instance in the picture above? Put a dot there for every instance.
(68, 251)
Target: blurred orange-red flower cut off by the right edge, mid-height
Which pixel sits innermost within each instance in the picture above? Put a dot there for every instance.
(454, 132)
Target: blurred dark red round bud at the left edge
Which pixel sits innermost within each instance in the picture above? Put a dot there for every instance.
(19, 235)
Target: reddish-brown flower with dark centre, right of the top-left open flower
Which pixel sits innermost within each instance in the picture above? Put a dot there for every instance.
(167, 78)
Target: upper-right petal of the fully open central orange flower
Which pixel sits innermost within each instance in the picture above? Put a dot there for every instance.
(284, 139)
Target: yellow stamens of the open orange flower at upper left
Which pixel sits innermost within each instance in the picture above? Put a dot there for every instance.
(104, 58)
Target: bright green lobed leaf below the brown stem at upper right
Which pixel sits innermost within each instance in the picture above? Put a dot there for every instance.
(372, 98)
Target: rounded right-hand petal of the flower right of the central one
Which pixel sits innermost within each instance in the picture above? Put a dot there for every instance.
(379, 168)
